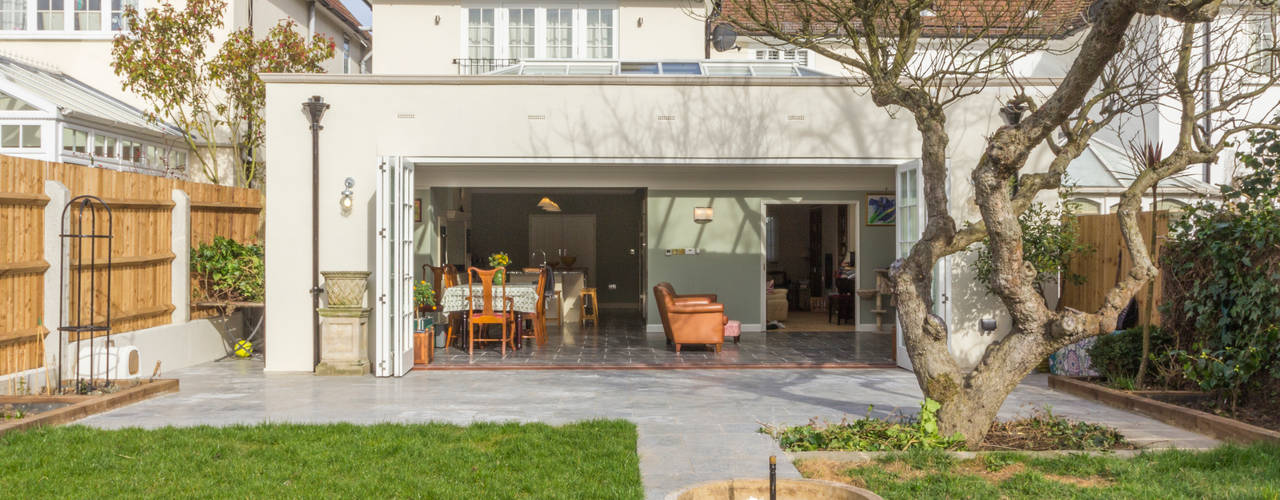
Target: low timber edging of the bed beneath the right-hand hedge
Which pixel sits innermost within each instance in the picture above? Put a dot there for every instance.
(1192, 420)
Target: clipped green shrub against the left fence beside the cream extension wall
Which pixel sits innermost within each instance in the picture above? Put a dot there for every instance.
(228, 272)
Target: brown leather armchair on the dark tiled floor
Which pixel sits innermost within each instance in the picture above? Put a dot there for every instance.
(696, 319)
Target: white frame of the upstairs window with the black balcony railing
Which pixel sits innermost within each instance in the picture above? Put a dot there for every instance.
(502, 27)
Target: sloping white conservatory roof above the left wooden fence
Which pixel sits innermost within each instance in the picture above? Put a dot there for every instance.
(72, 98)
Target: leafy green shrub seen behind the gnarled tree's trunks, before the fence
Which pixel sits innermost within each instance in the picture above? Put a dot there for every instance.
(1050, 242)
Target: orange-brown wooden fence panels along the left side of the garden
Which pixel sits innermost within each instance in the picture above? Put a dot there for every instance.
(141, 247)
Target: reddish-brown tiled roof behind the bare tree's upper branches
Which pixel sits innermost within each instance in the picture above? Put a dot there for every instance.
(1053, 19)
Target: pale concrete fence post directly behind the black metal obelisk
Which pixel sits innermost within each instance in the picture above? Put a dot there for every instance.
(56, 283)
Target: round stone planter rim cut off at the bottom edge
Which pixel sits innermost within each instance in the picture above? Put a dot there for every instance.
(760, 489)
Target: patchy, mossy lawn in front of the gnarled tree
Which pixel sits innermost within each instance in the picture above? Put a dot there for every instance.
(1228, 473)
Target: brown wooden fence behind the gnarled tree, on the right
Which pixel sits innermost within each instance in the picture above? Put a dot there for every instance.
(1110, 260)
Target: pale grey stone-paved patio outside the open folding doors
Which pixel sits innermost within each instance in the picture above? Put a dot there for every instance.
(694, 425)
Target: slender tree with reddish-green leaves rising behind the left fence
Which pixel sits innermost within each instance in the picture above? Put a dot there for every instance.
(216, 99)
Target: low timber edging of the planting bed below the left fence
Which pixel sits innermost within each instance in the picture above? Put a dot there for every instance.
(84, 406)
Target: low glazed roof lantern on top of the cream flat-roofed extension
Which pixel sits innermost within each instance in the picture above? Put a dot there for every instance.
(669, 68)
